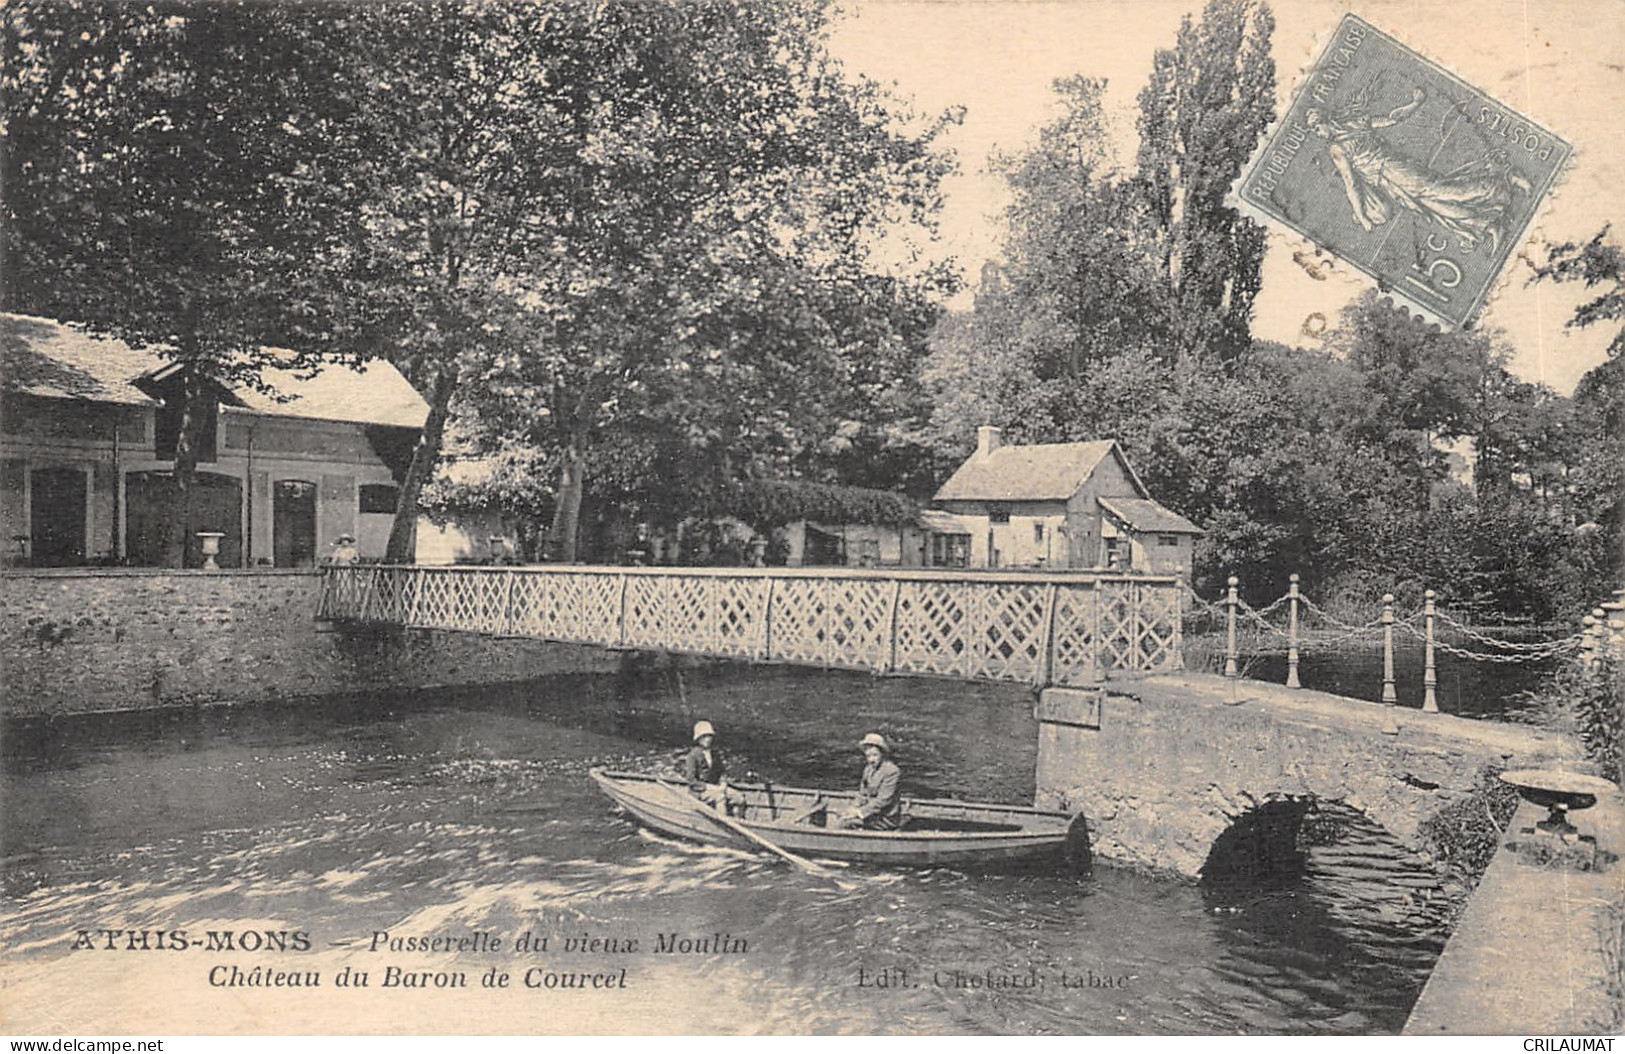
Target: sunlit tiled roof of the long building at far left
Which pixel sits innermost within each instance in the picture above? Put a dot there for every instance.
(53, 360)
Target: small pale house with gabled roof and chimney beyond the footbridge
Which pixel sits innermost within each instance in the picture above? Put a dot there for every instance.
(1059, 506)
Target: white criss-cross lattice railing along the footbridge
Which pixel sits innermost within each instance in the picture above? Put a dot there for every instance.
(1033, 629)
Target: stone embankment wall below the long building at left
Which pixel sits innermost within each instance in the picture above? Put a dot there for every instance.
(85, 641)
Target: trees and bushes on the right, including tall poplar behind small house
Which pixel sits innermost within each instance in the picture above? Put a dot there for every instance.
(1395, 459)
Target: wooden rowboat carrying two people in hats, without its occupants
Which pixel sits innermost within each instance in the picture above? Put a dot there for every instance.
(800, 819)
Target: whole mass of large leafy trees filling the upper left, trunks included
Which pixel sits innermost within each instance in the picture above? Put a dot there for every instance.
(639, 238)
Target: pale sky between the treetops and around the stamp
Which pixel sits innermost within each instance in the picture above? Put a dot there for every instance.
(1561, 63)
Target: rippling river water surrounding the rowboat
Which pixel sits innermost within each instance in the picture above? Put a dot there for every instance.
(466, 813)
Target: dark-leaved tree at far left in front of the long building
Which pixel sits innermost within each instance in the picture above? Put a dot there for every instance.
(157, 171)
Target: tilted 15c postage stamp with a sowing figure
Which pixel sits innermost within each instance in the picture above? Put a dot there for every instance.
(1405, 171)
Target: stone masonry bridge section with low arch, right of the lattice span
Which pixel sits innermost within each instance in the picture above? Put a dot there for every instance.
(1164, 767)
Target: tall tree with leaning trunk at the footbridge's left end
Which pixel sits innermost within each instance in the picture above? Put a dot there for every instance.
(462, 179)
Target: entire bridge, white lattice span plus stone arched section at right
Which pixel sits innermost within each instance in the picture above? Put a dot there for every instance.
(1159, 761)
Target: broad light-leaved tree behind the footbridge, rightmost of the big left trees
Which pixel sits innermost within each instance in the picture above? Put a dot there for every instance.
(711, 292)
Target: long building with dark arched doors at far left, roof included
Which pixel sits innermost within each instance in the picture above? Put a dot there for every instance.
(89, 438)
